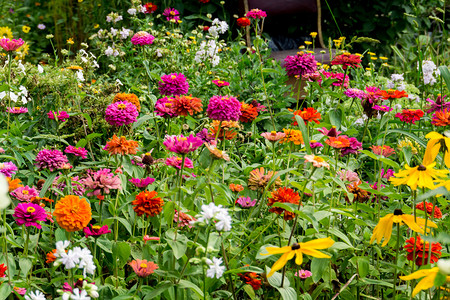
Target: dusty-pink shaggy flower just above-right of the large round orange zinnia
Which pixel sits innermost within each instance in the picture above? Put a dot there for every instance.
(101, 182)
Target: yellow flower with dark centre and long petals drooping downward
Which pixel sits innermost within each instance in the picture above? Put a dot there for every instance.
(384, 226)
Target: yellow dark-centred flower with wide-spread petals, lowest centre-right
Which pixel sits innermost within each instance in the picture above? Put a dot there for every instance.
(308, 248)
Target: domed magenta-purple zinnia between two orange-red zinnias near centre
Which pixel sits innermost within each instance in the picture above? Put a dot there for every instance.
(224, 108)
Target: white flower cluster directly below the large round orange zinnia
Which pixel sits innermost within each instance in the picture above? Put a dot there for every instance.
(77, 257)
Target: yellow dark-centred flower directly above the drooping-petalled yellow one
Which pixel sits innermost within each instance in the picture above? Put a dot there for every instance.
(421, 176)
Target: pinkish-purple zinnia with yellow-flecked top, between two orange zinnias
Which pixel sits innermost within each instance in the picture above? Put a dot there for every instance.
(121, 113)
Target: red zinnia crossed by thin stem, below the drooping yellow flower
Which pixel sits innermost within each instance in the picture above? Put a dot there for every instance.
(422, 249)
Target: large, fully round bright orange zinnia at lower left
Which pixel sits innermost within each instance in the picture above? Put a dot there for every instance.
(72, 213)
